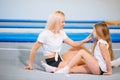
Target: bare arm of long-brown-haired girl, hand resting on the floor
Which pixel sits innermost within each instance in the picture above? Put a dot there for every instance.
(106, 57)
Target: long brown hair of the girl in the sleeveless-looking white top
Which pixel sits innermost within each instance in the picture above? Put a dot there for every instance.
(102, 31)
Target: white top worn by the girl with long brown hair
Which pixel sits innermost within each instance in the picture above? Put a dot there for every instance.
(98, 55)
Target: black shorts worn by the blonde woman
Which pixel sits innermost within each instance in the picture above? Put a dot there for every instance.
(52, 62)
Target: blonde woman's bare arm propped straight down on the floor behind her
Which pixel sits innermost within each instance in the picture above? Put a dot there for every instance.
(32, 55)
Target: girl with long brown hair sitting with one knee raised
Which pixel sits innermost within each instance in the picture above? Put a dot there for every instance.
(98, 63)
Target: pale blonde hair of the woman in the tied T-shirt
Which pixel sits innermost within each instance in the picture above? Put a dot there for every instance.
(54, 21)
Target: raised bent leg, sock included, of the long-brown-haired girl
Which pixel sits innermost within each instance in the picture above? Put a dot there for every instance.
(90, 61)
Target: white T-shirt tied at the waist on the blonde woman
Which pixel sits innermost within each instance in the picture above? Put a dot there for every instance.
(51, 42)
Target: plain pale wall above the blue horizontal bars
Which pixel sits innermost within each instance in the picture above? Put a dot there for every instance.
(74, 9)
